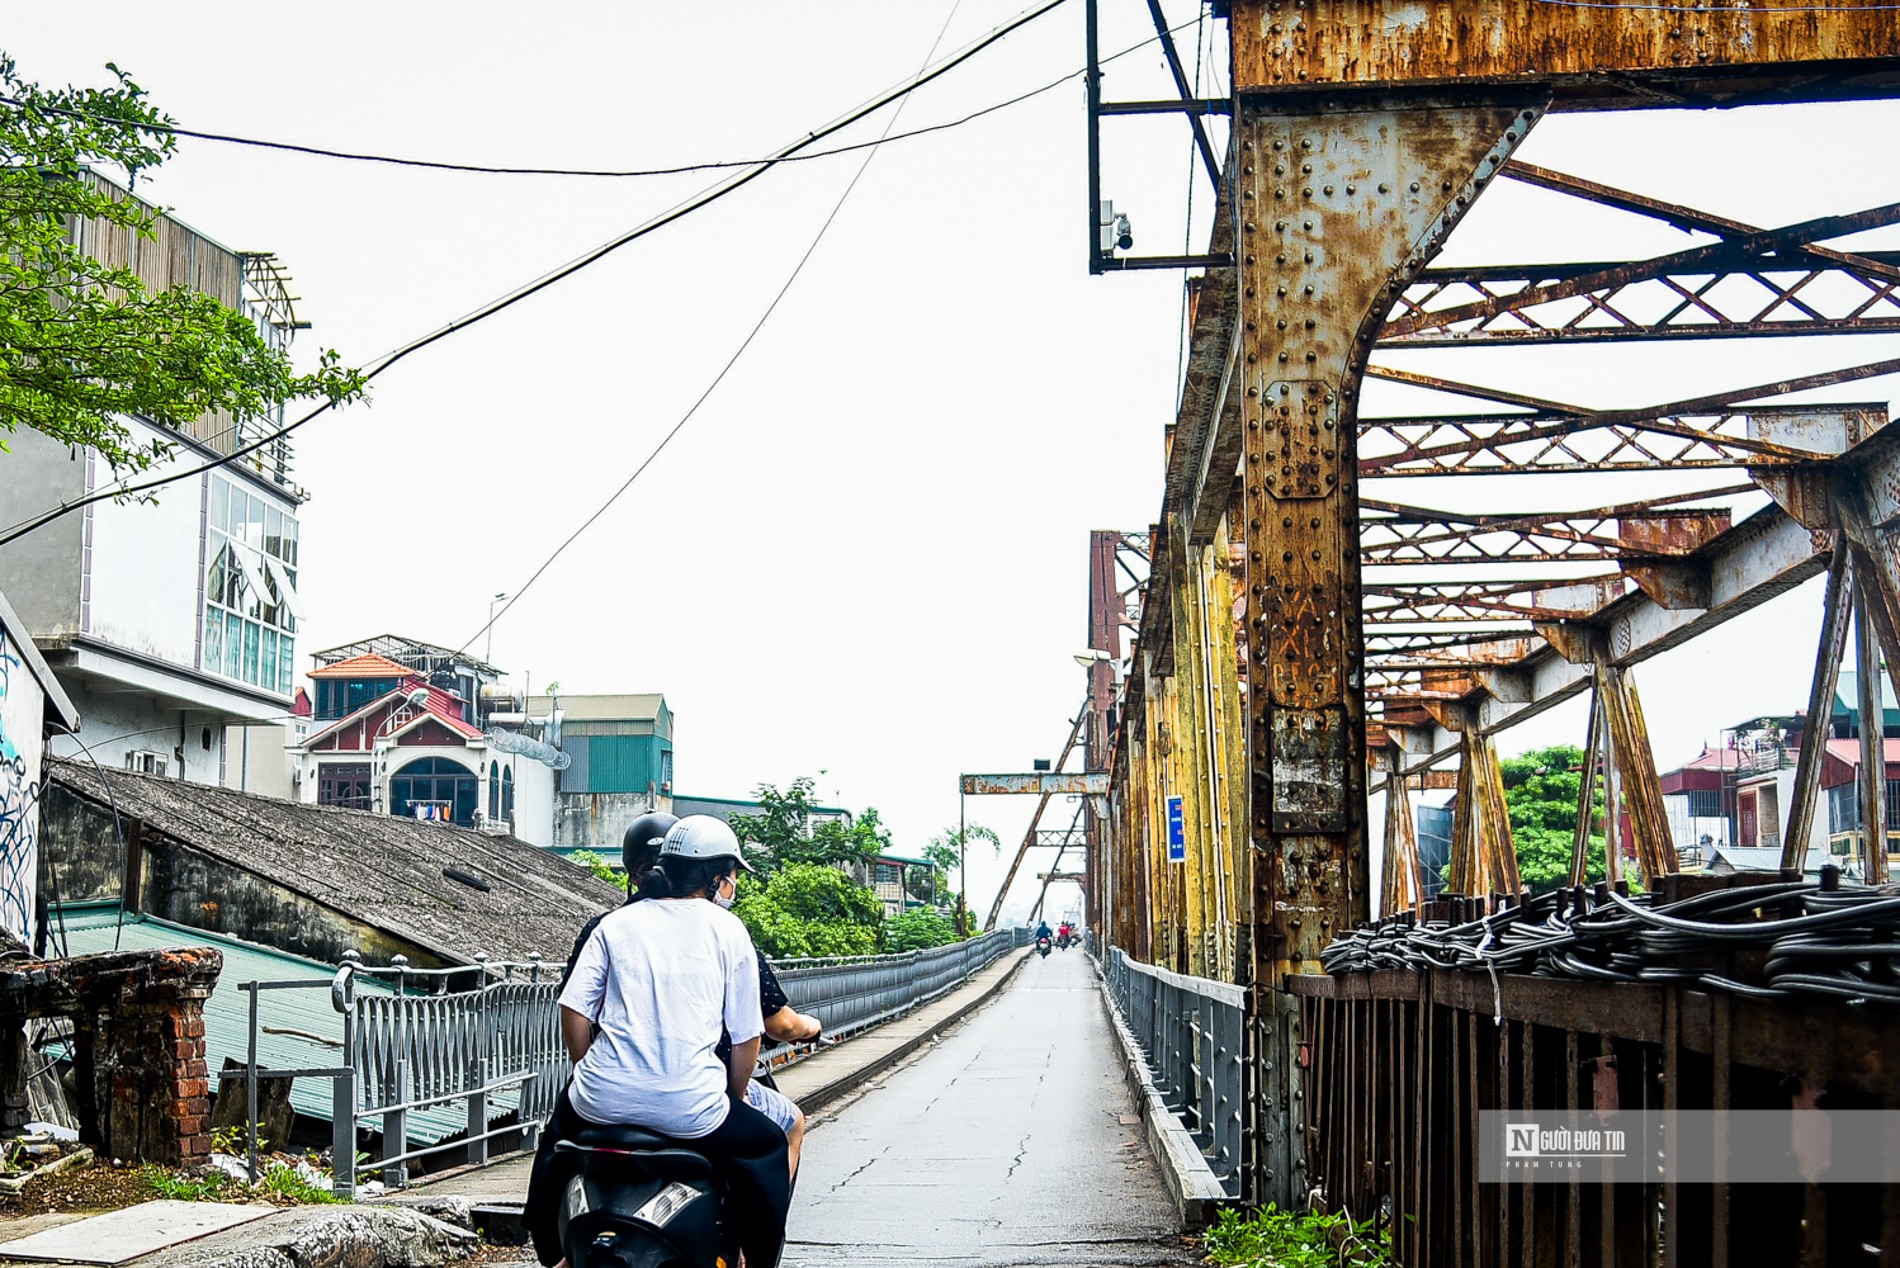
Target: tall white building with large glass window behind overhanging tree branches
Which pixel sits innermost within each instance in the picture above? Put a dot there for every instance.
(176, 619)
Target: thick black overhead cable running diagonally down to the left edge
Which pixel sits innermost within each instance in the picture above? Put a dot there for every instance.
(567, 271)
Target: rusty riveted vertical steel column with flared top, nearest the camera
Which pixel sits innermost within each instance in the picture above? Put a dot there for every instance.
(1339, 214)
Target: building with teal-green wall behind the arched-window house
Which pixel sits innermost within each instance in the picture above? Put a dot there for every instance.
(620, 765)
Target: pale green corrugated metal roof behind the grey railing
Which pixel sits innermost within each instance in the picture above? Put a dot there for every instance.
(297, 1029)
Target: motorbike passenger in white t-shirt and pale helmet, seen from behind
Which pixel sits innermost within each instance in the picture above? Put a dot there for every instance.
(643, 1014)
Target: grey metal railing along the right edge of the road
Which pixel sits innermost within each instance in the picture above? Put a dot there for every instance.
(1194, 1037)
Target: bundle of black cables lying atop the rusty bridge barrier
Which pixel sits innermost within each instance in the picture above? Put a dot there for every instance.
(1776, 942)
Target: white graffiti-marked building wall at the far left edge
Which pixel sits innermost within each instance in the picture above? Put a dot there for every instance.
(31, 710)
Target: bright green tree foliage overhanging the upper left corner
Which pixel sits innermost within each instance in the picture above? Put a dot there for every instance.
(83, 343)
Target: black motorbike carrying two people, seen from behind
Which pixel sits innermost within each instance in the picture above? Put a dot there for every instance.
(643, 1201)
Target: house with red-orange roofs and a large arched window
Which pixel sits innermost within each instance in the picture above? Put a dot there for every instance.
(419, 731)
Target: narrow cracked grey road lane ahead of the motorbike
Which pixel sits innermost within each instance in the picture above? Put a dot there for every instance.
(1012, 1142)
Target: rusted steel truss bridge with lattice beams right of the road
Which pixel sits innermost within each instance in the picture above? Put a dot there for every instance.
(1312, 634)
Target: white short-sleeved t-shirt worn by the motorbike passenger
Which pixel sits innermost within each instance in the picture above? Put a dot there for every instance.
(662, 978)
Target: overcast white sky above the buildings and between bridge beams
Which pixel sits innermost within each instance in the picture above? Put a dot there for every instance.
(867, 554)
